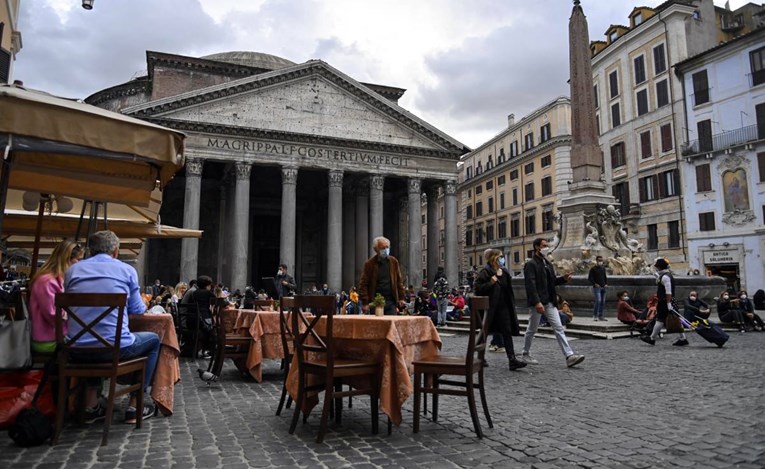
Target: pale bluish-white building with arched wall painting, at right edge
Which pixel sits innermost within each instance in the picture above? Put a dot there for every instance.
(723, 171)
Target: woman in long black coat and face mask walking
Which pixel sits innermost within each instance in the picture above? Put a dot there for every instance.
(494, 281)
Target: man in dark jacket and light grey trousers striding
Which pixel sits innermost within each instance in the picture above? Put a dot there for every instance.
(540, 279)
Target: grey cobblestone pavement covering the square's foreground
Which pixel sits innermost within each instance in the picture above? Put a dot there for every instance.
(628, 405)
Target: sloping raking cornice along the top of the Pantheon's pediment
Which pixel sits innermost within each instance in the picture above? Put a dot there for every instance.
(292, 73)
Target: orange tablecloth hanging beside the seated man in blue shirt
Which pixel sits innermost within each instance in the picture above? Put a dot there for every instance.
(168, 371)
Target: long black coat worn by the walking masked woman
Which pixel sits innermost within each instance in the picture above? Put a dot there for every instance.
(498, 322)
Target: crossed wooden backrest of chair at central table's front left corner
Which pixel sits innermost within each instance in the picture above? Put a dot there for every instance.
(308, 340)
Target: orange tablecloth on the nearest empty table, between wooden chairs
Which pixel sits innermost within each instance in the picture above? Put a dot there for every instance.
(395, 341)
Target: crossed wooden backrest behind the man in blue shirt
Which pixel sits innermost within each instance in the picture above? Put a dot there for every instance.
(88, 310)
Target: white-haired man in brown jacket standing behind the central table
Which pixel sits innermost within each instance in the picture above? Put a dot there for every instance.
(381, 274)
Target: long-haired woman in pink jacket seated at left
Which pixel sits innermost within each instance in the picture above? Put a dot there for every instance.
(47, 281)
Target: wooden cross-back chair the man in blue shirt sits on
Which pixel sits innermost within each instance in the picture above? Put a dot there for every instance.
(68, 308)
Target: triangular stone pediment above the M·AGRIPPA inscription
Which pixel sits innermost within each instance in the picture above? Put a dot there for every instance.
(310, 99)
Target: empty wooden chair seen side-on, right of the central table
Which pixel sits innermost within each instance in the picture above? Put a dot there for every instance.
(472, 363)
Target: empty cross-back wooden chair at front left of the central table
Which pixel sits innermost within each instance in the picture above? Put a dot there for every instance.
(316, 357)
